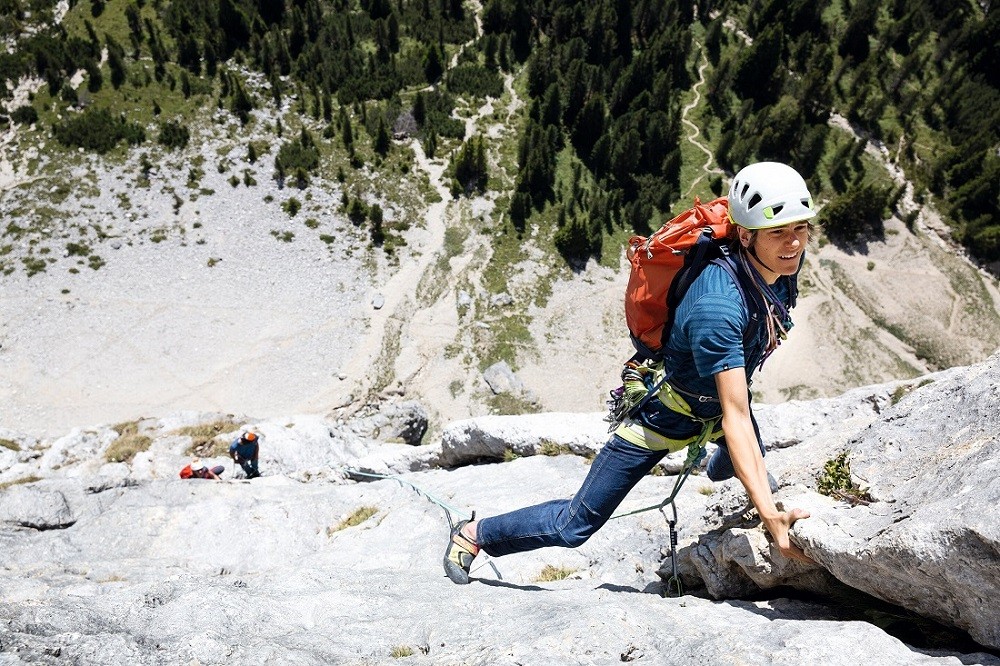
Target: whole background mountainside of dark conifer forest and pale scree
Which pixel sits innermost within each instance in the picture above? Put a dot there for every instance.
(266, 242)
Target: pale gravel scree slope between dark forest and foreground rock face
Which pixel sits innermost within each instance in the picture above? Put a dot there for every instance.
(226, 302)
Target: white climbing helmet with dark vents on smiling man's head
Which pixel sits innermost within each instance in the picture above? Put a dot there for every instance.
(769, 194)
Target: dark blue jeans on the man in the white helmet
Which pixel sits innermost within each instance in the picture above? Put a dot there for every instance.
(570, 522)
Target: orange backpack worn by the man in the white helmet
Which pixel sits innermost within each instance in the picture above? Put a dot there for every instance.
(689, 241)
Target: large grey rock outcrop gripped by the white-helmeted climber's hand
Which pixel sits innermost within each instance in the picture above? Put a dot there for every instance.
(920, 529)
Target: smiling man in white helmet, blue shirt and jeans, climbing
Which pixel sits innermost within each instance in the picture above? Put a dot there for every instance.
(722, 332)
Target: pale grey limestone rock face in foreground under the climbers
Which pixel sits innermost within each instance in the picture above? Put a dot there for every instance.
(334, 555)
